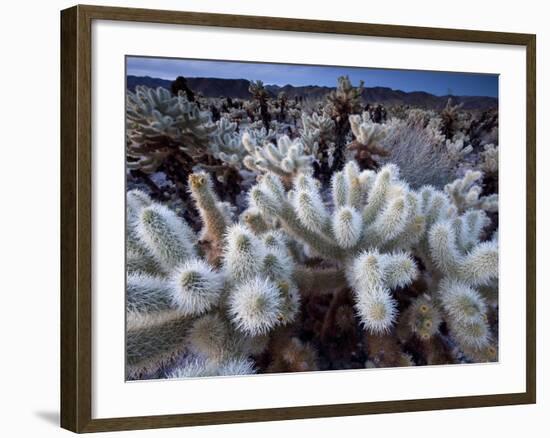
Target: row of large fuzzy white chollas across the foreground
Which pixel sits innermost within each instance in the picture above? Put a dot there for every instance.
(213, 298)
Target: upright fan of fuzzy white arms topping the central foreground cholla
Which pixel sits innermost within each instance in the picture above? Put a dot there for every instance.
(371, 197)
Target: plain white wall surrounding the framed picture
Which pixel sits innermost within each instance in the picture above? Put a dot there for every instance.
(29, 215)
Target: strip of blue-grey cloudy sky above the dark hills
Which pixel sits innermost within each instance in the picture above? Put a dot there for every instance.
(438, 83)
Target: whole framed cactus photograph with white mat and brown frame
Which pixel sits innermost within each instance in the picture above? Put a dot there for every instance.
(269, 218)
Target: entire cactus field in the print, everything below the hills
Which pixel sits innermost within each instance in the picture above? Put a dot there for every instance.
(276, 234)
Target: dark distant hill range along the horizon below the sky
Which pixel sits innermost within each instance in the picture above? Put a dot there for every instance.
(238, 88)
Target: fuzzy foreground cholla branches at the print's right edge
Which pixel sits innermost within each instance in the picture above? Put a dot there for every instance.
(462, 262)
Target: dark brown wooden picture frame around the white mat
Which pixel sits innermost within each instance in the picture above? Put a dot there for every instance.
(76, 217)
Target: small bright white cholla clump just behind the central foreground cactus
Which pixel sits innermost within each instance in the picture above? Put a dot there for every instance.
(286, 159)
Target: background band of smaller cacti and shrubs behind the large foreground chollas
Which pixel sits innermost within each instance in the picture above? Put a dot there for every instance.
(166, 131)
